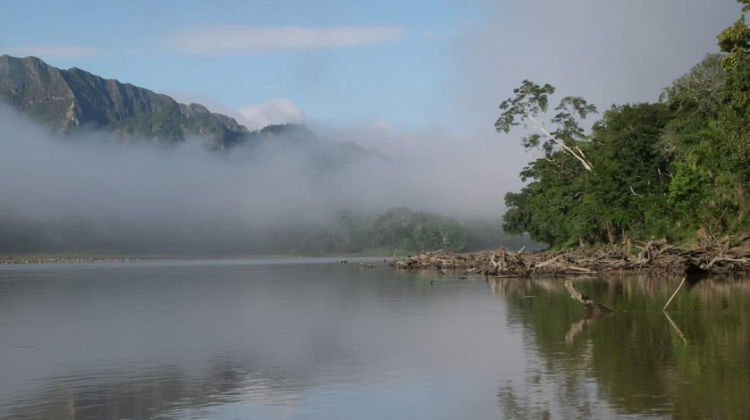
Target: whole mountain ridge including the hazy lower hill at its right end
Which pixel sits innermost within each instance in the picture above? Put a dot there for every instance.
(68, 101)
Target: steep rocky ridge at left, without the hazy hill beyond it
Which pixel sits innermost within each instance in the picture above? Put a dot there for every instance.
(67, 100)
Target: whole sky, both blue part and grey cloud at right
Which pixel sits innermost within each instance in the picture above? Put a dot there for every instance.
(414, 65)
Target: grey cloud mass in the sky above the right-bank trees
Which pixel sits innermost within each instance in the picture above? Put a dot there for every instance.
(608, 51)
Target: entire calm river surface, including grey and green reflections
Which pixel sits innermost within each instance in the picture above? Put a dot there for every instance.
(311, 339)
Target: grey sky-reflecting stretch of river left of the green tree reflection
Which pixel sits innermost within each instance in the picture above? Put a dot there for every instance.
(314, 341)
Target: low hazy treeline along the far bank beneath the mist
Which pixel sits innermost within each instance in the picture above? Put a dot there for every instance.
(349, 232)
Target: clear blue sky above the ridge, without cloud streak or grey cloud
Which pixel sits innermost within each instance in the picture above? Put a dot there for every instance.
(396, 77)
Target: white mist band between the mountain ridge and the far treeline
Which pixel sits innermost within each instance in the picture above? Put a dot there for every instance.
(302, 180)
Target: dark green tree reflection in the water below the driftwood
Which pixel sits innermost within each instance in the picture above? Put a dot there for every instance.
(691, 363)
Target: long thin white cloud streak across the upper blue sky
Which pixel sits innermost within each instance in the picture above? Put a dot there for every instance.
(257, 40)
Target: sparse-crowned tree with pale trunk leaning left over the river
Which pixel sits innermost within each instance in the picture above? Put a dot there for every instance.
(529, 108)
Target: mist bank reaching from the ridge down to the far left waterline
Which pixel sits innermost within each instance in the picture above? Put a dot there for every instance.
(87, 191)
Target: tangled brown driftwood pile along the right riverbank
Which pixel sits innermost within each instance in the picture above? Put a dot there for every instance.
(654, 257)
